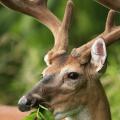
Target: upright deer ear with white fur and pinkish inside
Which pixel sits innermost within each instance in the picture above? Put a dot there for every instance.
(98, 54)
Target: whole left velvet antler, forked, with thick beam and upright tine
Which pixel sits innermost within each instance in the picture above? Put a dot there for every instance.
(39, 10)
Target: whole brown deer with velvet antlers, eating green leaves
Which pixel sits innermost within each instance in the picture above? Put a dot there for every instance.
(70, 86)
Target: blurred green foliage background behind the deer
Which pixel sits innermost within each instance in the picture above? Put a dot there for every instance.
(24, 42)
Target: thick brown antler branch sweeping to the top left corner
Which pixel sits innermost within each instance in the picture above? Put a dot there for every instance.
(37, 9)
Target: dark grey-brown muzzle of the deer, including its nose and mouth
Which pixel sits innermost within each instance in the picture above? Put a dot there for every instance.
(35, 97)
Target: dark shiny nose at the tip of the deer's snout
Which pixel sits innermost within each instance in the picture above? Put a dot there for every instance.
(25, 104)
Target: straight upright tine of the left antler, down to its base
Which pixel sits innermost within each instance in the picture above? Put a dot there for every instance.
(62, 36)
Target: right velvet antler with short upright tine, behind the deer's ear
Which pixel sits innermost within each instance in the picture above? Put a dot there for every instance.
(110, 35)
